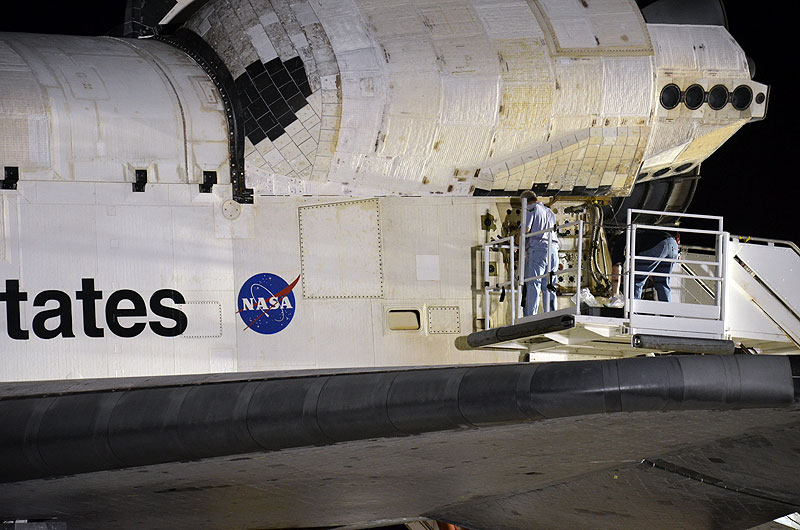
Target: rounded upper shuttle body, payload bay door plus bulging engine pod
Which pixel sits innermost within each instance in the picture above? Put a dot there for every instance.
(363, 98)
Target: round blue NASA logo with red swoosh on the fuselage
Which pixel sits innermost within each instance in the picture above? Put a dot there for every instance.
(266, 303)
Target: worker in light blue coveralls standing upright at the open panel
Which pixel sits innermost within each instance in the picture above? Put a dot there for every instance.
(539, 217)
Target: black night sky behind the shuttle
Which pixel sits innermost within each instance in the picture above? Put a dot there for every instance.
(748, 180)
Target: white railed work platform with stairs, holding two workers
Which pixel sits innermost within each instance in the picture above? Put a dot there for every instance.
(742, 293)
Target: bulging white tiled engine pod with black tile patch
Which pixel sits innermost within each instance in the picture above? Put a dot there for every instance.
(422, 99)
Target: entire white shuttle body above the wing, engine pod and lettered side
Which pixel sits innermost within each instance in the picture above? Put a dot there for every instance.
(204, 168)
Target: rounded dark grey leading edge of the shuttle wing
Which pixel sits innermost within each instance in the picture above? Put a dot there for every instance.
(175, 419)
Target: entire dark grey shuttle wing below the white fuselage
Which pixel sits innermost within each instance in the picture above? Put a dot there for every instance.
(670, 442)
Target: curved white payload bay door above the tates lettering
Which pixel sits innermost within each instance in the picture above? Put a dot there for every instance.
(95, 109)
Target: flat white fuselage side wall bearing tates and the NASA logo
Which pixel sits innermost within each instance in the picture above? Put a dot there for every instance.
(166, 240)
